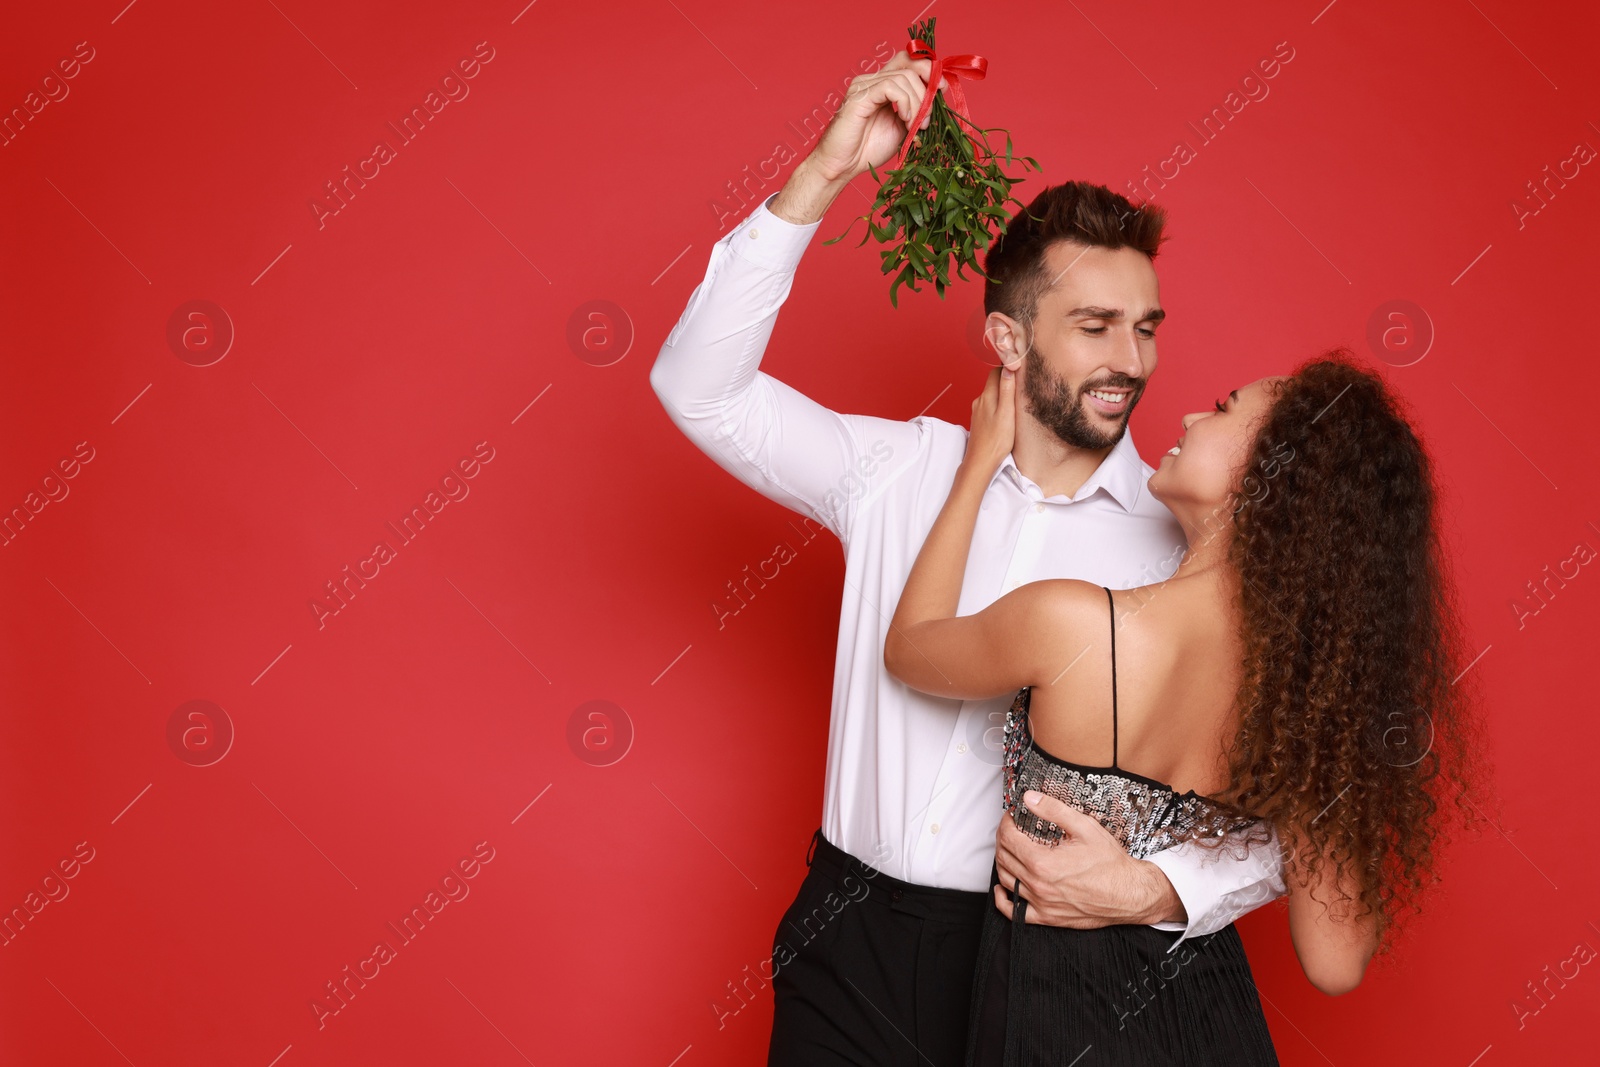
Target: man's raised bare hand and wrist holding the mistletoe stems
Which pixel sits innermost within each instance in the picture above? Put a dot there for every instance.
(866, 130)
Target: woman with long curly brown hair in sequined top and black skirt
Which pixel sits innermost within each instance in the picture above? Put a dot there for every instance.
(1294, 674)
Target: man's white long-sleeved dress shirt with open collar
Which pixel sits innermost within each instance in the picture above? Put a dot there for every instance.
(914, 781)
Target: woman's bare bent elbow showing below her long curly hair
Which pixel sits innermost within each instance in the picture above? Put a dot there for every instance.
(1332, 941)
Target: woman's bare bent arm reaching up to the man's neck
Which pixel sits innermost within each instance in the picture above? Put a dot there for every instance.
(1014, 642)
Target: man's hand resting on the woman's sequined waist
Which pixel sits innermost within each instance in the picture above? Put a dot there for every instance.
(1084, 882)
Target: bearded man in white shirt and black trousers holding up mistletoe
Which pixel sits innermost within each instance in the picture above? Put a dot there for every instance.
(914, 783)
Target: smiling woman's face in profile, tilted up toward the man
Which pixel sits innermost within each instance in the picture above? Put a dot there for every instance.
(1209, 460)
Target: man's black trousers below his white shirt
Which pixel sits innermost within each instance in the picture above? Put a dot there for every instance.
(873, 972)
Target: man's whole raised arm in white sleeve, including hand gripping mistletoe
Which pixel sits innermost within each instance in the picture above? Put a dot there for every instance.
(708, 375)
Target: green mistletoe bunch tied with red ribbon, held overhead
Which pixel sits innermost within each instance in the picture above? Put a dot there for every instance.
(948, 198)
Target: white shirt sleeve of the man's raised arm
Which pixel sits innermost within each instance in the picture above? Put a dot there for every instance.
(769, 436)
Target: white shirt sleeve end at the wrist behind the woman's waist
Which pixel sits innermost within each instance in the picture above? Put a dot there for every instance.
(1218, 885)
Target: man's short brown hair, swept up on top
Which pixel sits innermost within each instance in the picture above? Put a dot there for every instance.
(1074, 212)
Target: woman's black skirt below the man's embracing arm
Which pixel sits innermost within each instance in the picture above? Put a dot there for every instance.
(1047, 996)
